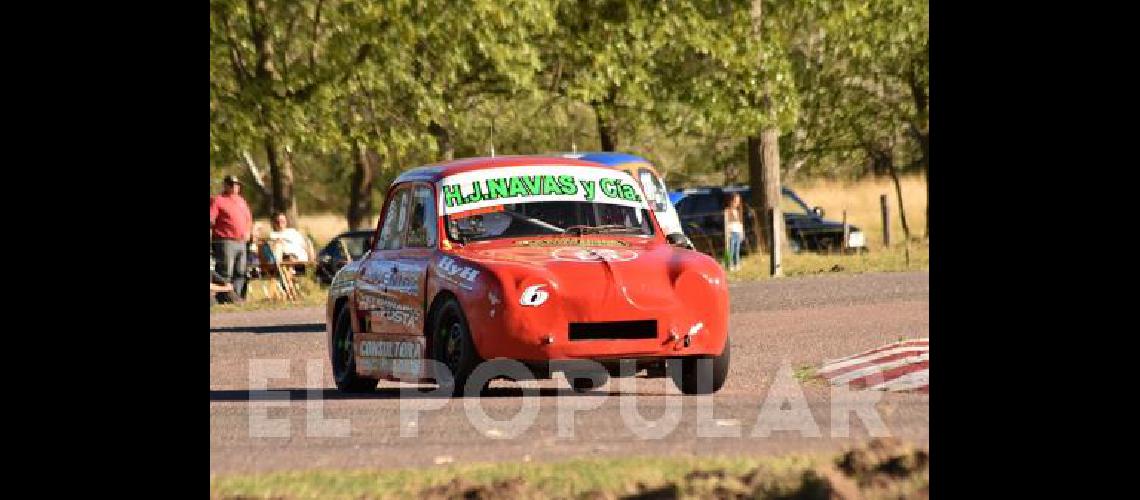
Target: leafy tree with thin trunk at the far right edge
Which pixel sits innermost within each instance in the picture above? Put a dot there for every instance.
(869, 62)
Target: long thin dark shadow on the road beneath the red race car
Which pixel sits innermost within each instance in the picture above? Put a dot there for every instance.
(385, 394)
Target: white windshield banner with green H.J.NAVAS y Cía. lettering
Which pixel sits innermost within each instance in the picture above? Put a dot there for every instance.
(492, 187)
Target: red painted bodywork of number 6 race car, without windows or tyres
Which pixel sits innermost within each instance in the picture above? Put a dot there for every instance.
(588, 280)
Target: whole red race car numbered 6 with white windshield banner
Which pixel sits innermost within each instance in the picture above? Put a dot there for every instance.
(552, 263)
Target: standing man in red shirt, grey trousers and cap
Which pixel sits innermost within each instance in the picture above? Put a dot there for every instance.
(231, 222)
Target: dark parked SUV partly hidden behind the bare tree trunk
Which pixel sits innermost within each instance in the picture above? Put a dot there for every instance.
(703, 219)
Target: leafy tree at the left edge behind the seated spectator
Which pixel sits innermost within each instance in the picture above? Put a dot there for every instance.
(268, 61)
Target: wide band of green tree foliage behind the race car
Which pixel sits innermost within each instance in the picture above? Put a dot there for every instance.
(679, 83)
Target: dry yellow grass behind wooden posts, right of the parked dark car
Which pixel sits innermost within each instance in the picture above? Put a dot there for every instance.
(861, 201)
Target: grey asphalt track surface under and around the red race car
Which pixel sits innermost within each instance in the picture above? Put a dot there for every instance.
(786, 324)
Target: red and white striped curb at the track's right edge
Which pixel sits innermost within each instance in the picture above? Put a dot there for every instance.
(899, 367)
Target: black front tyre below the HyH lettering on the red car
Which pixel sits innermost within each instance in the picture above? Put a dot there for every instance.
(452, 343)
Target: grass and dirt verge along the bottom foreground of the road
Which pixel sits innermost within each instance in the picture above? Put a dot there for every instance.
(883, 469)
